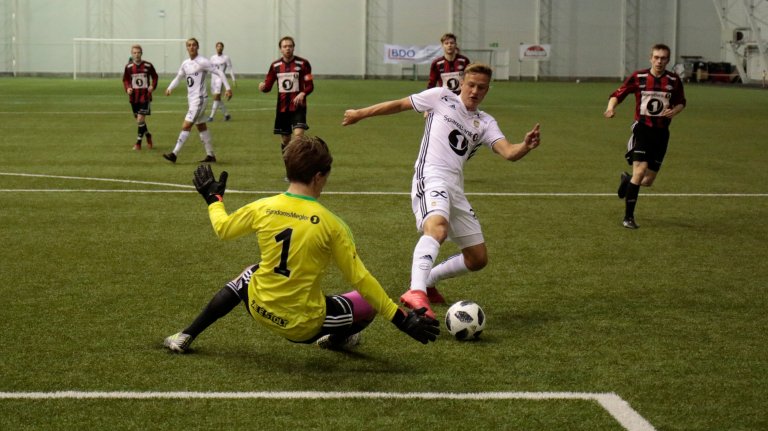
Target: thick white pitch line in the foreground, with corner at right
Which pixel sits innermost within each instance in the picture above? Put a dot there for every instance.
(612, 403)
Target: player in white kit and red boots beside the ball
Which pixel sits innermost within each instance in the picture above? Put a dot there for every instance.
(455, 129)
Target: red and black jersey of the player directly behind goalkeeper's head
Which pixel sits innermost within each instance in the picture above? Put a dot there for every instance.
(292, 77)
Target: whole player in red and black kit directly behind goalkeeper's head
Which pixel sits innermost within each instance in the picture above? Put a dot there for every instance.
(293, 76)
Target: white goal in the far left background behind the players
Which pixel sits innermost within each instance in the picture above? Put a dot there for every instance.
(101, 58)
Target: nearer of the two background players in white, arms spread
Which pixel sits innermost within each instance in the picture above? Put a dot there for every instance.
(194, 71)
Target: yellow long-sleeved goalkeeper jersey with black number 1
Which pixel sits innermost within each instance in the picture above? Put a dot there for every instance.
(297, 238)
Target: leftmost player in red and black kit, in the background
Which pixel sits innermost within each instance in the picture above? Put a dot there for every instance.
(140, 80)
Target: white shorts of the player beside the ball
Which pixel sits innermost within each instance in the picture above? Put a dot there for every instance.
(438, 199)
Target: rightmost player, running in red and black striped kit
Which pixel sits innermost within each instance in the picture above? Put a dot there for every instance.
(659, 96)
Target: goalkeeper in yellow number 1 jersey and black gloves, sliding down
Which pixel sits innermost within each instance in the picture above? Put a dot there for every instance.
(297, 238)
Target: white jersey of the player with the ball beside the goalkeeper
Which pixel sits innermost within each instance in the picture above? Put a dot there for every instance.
(452, 135)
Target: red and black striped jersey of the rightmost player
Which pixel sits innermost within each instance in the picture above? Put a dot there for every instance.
(652, 95)
